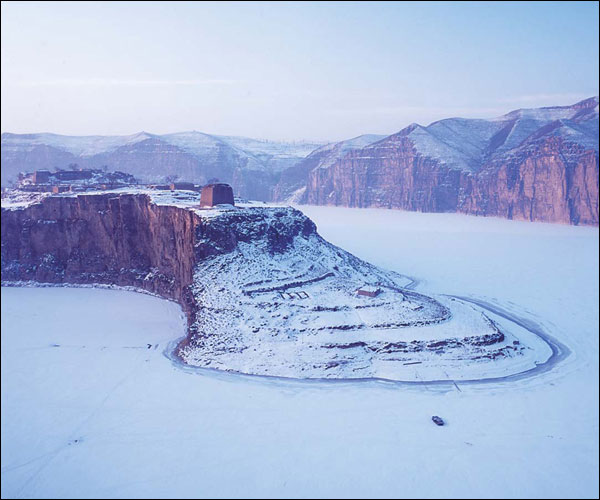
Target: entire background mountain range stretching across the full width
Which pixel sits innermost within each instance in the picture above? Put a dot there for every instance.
(532, 164)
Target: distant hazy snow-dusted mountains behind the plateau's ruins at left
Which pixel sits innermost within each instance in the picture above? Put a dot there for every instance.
(251, 165)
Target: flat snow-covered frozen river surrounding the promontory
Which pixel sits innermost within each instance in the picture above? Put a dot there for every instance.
(92, 407)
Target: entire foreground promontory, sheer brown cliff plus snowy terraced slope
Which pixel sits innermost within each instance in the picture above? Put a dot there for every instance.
(262, 291)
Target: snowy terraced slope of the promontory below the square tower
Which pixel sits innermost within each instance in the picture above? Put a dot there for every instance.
(292, 310)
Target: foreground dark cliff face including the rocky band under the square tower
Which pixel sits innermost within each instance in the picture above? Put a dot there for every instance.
(127, 240)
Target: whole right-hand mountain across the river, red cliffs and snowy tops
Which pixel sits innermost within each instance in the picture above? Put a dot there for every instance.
(536, 165)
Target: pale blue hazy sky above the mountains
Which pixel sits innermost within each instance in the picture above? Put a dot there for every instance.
(287, 70)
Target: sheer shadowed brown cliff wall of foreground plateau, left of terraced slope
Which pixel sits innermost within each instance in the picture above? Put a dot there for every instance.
(123, 240)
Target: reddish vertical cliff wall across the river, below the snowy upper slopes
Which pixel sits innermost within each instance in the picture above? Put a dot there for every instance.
(550, 181)
